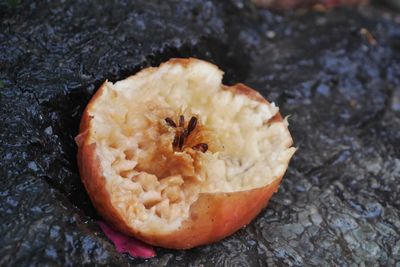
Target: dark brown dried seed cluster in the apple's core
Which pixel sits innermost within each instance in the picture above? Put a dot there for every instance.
(181, 135)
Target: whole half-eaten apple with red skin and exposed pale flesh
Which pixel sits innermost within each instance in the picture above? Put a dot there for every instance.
(177, 159)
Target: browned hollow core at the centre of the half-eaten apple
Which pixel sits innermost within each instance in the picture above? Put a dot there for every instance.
(178, 145)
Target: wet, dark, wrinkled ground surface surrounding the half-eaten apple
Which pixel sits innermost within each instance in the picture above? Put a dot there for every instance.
(339, 203)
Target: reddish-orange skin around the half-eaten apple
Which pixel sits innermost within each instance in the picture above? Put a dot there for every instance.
(213, 216)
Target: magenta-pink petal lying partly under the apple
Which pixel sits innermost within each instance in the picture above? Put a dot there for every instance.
(124, 243)
